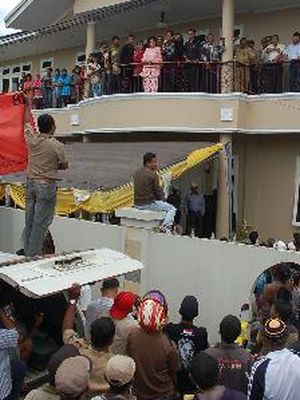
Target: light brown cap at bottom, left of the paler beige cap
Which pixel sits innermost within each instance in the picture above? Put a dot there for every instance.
(72, 377)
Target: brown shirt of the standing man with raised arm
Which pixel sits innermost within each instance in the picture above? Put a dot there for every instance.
(46, 154)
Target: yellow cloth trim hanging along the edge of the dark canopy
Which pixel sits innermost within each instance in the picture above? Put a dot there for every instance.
(69, 201)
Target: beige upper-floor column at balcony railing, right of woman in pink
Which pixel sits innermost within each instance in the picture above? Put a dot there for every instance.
(227, 33)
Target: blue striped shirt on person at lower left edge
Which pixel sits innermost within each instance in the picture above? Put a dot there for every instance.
(8, 340)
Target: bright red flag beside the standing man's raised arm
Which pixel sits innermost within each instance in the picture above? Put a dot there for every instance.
(13, 148)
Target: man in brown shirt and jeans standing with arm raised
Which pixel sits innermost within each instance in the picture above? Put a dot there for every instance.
(46, 157)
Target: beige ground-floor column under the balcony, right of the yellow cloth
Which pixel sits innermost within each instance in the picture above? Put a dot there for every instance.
(223, 203)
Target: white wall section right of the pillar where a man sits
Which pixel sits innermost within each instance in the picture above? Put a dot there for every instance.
(220, 275)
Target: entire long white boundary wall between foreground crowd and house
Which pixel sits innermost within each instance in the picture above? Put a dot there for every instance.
(220, 274)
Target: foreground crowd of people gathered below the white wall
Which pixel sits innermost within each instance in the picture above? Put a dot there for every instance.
(130, 349)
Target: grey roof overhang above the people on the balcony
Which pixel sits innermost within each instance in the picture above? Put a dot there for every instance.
(140, 15)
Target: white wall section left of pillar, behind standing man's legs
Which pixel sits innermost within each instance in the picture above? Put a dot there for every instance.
(68, 234)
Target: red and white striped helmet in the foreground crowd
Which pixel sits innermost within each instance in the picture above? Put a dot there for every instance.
(152, 315)
